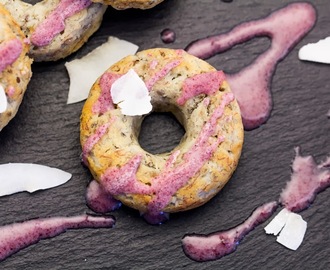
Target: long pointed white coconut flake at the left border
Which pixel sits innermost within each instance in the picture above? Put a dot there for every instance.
(18, 177)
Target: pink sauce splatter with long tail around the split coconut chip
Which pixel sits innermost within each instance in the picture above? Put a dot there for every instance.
(308, 179)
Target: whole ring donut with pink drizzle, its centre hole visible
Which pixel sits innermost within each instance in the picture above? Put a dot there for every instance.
(195, 170)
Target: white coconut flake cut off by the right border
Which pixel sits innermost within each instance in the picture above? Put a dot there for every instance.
(316, 52)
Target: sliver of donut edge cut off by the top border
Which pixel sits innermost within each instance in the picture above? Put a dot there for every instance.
(124, 4)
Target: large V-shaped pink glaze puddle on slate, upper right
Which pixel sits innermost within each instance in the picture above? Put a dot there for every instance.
(251, 86)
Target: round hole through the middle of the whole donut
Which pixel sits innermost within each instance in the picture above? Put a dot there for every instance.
(160, 132)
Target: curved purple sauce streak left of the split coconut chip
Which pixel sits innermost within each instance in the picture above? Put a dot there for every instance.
(216, 245)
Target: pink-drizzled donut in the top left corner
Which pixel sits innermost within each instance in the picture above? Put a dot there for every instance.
(56, 28)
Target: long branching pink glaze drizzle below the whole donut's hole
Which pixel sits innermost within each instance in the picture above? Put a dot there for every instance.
(123, 180)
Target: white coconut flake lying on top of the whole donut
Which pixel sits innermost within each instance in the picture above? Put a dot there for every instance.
(131, 94)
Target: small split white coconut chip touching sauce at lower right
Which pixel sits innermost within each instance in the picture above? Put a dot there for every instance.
(290, 228)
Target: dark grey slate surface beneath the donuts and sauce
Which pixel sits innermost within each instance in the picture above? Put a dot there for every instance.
(46, 131)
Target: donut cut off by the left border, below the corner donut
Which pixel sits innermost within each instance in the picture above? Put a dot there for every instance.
(15, 67)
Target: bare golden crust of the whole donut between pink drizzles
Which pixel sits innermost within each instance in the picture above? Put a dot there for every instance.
(120, 144)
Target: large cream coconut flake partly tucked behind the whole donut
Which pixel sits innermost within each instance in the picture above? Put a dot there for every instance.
(84, 72)
